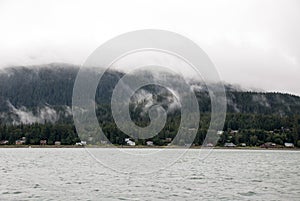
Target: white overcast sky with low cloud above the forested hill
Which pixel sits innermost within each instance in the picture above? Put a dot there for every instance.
(253, 43)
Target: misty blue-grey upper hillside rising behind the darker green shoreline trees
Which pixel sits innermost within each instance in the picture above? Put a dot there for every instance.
(38, 93)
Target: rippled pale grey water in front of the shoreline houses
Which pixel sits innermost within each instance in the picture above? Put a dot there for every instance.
(72, 174)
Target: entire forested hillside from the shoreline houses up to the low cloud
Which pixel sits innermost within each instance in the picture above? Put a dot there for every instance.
(35, 105)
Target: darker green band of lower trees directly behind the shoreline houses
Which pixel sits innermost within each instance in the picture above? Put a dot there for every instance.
(251, 129)
